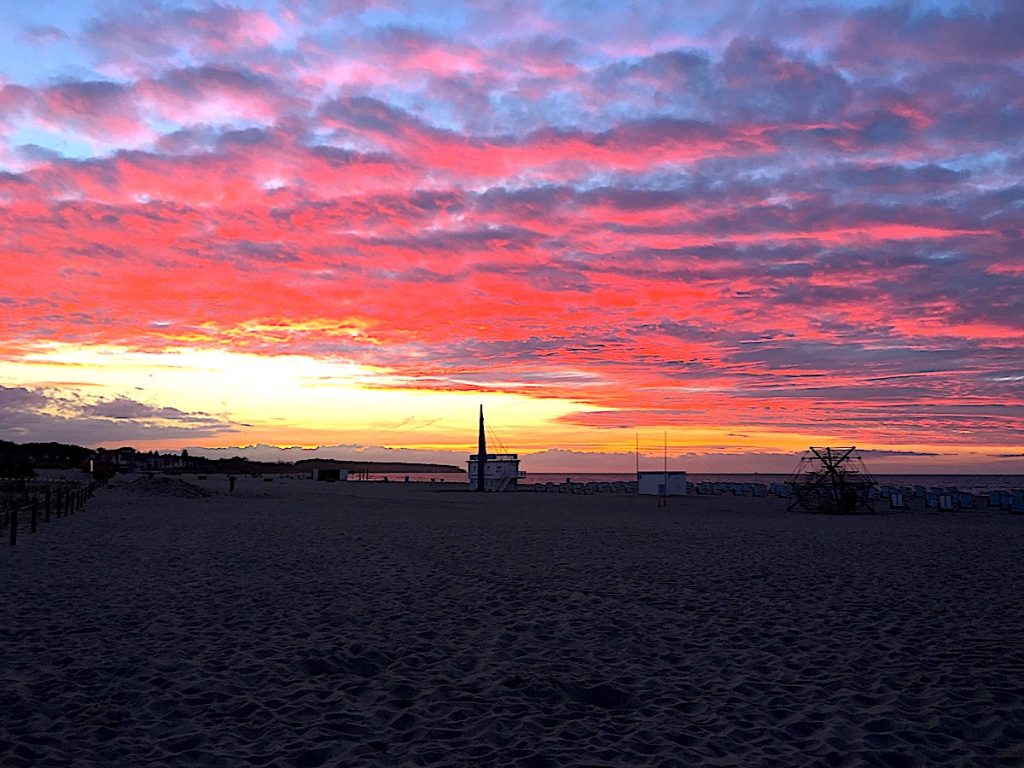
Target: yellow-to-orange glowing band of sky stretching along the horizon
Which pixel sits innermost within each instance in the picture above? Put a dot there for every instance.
(300, 401)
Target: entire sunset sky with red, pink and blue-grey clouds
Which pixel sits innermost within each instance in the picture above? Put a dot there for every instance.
(737, 229)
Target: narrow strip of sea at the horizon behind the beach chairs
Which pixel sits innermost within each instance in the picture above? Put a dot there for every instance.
(966, 484)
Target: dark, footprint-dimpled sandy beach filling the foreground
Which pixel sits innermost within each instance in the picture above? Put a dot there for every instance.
(303, 624)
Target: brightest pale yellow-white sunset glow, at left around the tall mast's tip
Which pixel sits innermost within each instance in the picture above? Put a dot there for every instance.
(294, 400)
